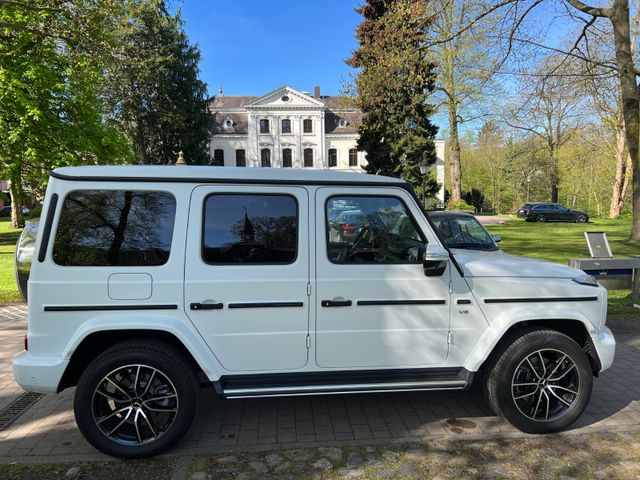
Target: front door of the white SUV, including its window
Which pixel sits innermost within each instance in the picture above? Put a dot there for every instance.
(375, 307)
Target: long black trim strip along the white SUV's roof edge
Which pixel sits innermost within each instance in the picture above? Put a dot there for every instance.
(213, 179)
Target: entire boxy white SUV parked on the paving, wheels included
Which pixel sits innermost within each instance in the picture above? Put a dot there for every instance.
(146, 278)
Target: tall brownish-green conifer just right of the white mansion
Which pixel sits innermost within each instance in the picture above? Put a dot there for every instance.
(393, 86)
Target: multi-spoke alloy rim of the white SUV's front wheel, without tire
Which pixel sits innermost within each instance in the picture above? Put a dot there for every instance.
(545, 385)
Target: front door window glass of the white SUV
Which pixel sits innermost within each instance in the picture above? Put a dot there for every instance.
(371, 230)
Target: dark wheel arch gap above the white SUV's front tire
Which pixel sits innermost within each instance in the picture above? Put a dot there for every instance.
(574, 329)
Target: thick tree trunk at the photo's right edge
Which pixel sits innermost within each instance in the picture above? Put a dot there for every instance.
(619, 17)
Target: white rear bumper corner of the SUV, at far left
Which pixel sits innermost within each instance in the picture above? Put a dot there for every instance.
(36, 373)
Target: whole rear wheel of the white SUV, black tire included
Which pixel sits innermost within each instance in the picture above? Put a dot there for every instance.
(168, 400)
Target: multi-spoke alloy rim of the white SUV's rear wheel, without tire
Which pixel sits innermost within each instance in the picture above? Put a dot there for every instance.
(134, 404)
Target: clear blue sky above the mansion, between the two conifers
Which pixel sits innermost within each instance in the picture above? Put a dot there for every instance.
(251, 47)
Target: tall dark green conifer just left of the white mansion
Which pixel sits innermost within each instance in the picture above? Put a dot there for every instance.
(155, 88)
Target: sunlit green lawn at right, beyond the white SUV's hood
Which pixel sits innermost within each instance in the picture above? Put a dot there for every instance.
(558, 242)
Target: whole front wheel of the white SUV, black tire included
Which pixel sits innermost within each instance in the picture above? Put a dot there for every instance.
(507, 366)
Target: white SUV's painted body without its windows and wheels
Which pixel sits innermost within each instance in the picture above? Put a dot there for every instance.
(452, 329)
